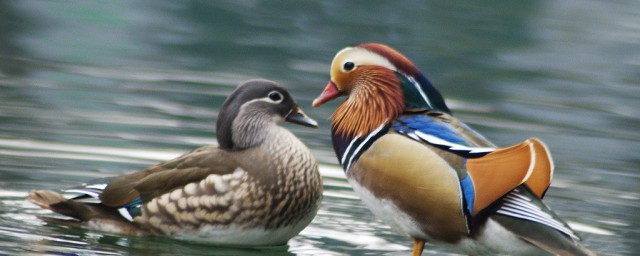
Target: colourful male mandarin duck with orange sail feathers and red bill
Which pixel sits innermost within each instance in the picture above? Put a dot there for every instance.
(427, 174)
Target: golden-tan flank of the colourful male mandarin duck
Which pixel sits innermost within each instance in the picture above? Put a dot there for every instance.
(410, 187)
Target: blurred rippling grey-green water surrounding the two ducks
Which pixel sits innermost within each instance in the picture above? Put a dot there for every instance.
(92, 89)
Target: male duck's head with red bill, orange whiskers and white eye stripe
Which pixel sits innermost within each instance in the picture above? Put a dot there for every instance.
(380, 83)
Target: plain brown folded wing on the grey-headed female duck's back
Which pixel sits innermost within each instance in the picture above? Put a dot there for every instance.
(164, 177)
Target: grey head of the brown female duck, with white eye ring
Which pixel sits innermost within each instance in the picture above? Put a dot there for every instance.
(252, 108)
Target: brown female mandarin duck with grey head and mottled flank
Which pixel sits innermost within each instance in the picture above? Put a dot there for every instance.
(260, 186)
